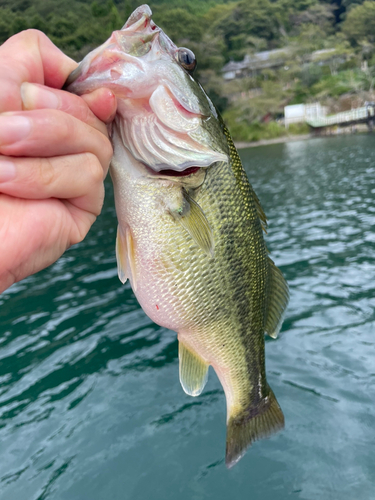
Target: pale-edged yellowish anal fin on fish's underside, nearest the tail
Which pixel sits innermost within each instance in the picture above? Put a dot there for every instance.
(193, 370)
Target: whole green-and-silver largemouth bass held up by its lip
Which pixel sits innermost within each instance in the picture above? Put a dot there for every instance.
(190, 234)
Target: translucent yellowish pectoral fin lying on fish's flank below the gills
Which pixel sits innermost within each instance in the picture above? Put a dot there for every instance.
(196, 224)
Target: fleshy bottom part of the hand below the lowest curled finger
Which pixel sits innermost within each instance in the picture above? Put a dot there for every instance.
(35, 233)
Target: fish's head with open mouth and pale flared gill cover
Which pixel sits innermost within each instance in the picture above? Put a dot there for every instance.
(164, 117)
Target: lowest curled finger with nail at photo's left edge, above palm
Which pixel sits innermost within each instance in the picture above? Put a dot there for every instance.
(72, 177)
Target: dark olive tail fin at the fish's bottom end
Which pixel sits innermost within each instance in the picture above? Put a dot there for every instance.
(254, 423)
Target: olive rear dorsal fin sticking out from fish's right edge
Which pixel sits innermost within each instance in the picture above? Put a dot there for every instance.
(277, 300)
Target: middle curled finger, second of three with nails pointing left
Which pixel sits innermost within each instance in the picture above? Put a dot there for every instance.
(50, 132)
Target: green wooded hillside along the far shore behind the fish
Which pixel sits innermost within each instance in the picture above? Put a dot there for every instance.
(254, 56)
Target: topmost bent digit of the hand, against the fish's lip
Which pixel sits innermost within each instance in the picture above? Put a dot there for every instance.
(30, 56)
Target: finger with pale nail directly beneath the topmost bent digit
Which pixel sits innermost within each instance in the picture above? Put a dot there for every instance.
(35, 96)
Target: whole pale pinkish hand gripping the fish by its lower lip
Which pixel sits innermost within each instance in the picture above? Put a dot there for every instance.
(54, 156)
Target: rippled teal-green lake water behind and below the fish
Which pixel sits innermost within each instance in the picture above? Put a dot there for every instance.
(90, 403)
